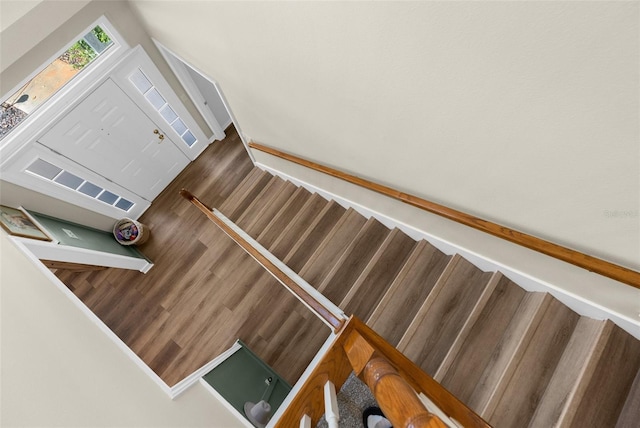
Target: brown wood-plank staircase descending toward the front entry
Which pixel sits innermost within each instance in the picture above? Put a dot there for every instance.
(516, 358)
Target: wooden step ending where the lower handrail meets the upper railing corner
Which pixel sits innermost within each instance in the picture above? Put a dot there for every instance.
(371, 286)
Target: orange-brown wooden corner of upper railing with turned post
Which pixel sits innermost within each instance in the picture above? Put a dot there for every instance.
(394, 380)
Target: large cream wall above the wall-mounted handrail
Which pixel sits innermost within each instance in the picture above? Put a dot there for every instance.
(524, 113)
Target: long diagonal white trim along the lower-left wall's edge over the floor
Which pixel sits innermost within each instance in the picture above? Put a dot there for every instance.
(92, 317)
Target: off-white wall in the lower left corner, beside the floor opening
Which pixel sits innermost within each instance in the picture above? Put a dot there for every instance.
(59, 369)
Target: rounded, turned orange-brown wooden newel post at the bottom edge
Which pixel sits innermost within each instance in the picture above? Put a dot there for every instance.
(396, 398)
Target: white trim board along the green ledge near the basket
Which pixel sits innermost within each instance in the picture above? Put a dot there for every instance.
(64, 253)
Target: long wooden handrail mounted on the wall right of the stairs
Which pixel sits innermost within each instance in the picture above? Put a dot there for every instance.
(585, 261)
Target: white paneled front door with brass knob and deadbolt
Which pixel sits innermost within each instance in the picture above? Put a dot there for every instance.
(110, 135)
